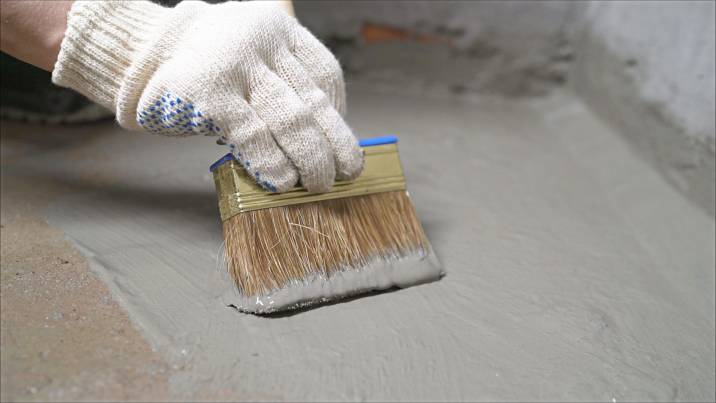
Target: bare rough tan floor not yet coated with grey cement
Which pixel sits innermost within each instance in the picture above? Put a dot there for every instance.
(64, 338)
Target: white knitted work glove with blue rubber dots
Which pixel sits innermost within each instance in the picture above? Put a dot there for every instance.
(246, 71)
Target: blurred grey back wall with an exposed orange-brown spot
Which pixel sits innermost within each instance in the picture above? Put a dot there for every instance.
(507, 48)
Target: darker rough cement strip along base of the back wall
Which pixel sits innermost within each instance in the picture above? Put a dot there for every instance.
(480, 68)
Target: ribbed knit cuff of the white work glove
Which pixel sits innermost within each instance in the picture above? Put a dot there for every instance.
(102, 41)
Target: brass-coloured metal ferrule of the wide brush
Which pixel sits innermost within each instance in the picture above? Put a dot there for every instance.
(238, 192)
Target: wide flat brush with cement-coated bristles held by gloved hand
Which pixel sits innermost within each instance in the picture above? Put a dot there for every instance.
(296, 249)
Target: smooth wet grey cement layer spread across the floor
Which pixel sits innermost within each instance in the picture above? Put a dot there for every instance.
(574, 271)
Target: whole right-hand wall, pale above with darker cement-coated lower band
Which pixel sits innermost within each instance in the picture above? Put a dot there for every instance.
(648, 68)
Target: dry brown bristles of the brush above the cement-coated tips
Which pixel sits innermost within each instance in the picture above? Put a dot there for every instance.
(269, 249)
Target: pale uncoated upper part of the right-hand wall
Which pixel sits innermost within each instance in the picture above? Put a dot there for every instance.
(668, 49)
